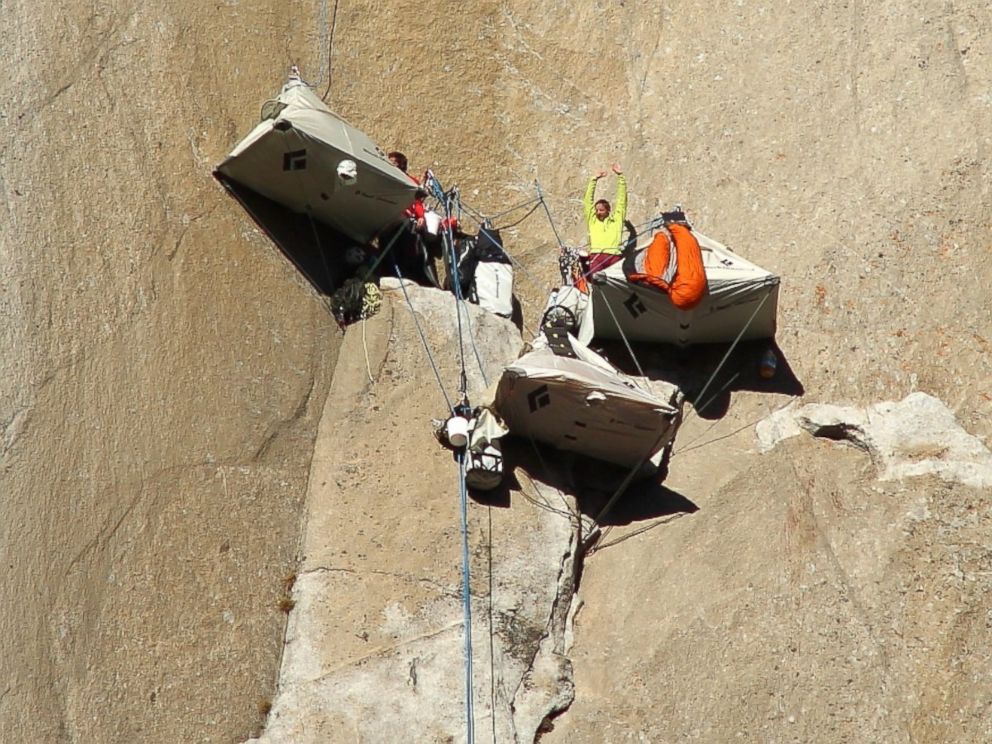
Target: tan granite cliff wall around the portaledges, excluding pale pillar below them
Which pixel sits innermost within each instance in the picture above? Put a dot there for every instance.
(164, 369)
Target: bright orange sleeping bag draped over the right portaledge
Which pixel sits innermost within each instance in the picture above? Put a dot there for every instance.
(688, 285)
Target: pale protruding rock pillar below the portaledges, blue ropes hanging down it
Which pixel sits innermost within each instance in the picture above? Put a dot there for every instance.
(376, 647)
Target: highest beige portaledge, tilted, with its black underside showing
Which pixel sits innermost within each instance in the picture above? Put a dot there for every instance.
(316, 185)
